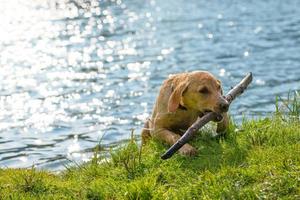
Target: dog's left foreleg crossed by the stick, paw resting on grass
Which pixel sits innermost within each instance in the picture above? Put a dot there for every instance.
(170, 138)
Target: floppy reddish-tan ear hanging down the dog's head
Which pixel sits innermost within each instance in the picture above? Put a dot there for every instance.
(176, 95)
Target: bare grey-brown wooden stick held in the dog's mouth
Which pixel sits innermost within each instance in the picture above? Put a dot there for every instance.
(200, 122)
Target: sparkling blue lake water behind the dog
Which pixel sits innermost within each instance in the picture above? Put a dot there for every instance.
(73, 72)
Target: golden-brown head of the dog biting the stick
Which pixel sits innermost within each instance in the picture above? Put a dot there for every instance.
(199, 91)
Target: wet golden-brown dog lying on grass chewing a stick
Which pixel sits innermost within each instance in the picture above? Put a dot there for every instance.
(182, 99)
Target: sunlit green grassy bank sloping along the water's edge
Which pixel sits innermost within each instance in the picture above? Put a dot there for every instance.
(259, 159)
